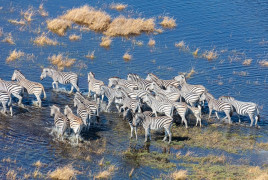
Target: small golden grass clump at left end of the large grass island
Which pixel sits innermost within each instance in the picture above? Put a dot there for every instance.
(59, 26)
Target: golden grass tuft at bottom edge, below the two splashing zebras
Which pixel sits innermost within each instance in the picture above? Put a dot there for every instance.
(65, 173)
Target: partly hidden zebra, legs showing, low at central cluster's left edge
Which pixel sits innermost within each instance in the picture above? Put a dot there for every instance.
(111, 94)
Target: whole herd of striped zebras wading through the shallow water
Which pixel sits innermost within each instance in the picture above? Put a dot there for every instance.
(151, 102)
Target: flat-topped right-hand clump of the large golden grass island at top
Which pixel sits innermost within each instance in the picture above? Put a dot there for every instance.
(122, 26)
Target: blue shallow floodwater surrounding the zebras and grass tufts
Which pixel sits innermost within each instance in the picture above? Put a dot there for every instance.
(237, 30)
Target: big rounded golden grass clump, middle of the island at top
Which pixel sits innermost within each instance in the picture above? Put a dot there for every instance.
(96, 20)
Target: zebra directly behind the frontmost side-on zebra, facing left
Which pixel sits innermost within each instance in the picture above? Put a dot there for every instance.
(158, 106)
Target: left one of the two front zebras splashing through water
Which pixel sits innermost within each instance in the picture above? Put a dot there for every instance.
(61, 122)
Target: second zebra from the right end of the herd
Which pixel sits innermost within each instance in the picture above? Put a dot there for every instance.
(217, 105)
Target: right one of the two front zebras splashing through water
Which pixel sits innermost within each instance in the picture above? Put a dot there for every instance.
(76, 123)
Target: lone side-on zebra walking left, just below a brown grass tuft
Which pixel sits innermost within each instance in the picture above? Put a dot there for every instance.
(61, 77)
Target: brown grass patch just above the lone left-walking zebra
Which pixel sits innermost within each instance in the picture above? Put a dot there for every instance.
(60, 61)
